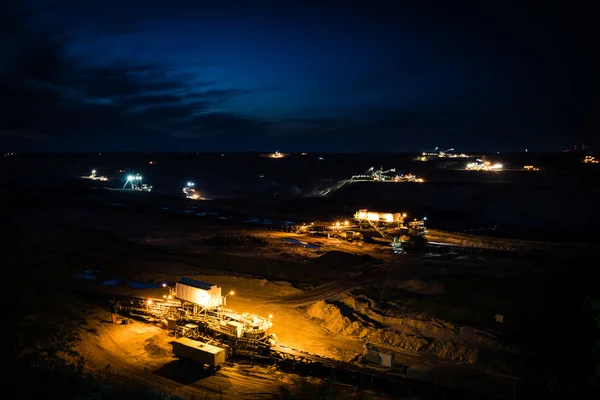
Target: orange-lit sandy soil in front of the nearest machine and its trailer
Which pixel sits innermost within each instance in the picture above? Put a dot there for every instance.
(141, 352)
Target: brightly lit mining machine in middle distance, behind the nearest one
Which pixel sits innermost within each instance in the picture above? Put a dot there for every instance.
(389, 227)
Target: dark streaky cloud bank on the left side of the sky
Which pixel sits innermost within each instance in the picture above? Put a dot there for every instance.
(49, 99)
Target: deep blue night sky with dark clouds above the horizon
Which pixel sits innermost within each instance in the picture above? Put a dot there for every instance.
(260, 76)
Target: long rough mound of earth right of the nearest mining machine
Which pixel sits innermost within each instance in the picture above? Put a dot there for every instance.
(356, 325)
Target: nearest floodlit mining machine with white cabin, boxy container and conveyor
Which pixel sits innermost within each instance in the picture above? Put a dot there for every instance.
(208, 333)
